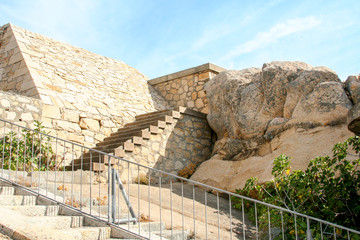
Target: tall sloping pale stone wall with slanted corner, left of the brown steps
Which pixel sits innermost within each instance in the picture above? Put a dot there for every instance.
(74, 84)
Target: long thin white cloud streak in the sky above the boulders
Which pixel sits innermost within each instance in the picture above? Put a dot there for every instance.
(278, 31)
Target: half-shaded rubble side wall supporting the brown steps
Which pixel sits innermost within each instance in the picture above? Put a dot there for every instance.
(185, 143)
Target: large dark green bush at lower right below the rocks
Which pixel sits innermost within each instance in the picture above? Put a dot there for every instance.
(328, 189)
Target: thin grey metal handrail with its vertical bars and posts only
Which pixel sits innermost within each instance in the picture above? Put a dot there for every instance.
(111, 216)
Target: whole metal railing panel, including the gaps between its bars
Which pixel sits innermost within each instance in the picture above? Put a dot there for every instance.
(151, 203)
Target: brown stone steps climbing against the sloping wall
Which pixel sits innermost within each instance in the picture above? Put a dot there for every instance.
(126, 138)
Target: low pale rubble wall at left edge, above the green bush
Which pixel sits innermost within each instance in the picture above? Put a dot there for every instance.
(19, 110)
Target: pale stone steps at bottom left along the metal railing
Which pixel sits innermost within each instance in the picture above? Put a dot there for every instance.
(26, 216)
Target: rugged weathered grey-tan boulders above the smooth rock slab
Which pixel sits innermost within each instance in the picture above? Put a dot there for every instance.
(243, 104)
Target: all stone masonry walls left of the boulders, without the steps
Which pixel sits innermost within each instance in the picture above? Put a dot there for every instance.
(83, 97)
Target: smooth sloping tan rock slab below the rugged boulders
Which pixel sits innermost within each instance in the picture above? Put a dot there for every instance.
(300, 144)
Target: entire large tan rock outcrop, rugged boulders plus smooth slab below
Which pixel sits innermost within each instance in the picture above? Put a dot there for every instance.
(257, 114)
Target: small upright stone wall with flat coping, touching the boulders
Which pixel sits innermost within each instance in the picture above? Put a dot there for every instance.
(186, 88)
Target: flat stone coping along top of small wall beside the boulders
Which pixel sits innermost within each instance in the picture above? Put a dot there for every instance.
(186, 72)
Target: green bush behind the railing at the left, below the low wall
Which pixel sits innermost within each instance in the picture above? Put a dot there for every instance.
(27, 151)
